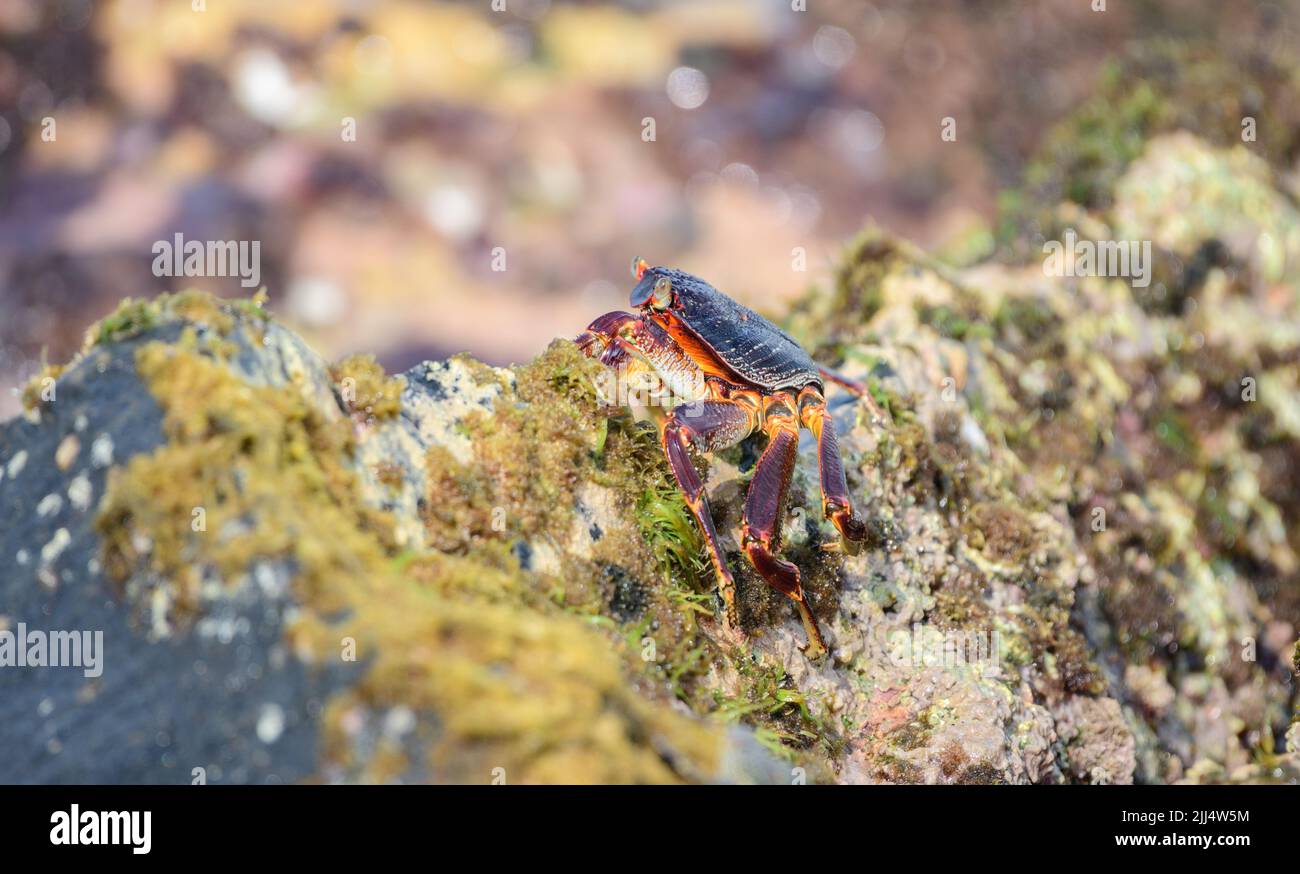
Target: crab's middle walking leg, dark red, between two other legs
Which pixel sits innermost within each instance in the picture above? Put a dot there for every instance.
(764, 508)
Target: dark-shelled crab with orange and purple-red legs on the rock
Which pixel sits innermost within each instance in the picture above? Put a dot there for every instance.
(731, 374)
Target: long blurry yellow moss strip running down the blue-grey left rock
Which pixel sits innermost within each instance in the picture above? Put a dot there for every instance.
(508, 682)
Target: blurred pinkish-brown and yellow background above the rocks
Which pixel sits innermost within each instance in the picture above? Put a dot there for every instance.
(383, 152)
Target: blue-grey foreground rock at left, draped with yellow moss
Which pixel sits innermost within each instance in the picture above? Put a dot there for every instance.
(210, 669)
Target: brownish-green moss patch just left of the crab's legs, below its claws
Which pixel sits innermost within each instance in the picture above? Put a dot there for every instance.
(522, 488)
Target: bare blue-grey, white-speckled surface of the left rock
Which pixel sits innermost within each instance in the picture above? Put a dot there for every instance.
(226, 696)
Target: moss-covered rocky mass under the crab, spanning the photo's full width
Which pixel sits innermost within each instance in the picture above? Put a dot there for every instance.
(1078, 566)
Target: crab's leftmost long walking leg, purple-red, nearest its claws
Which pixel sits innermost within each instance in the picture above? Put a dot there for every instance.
(708, 426)
